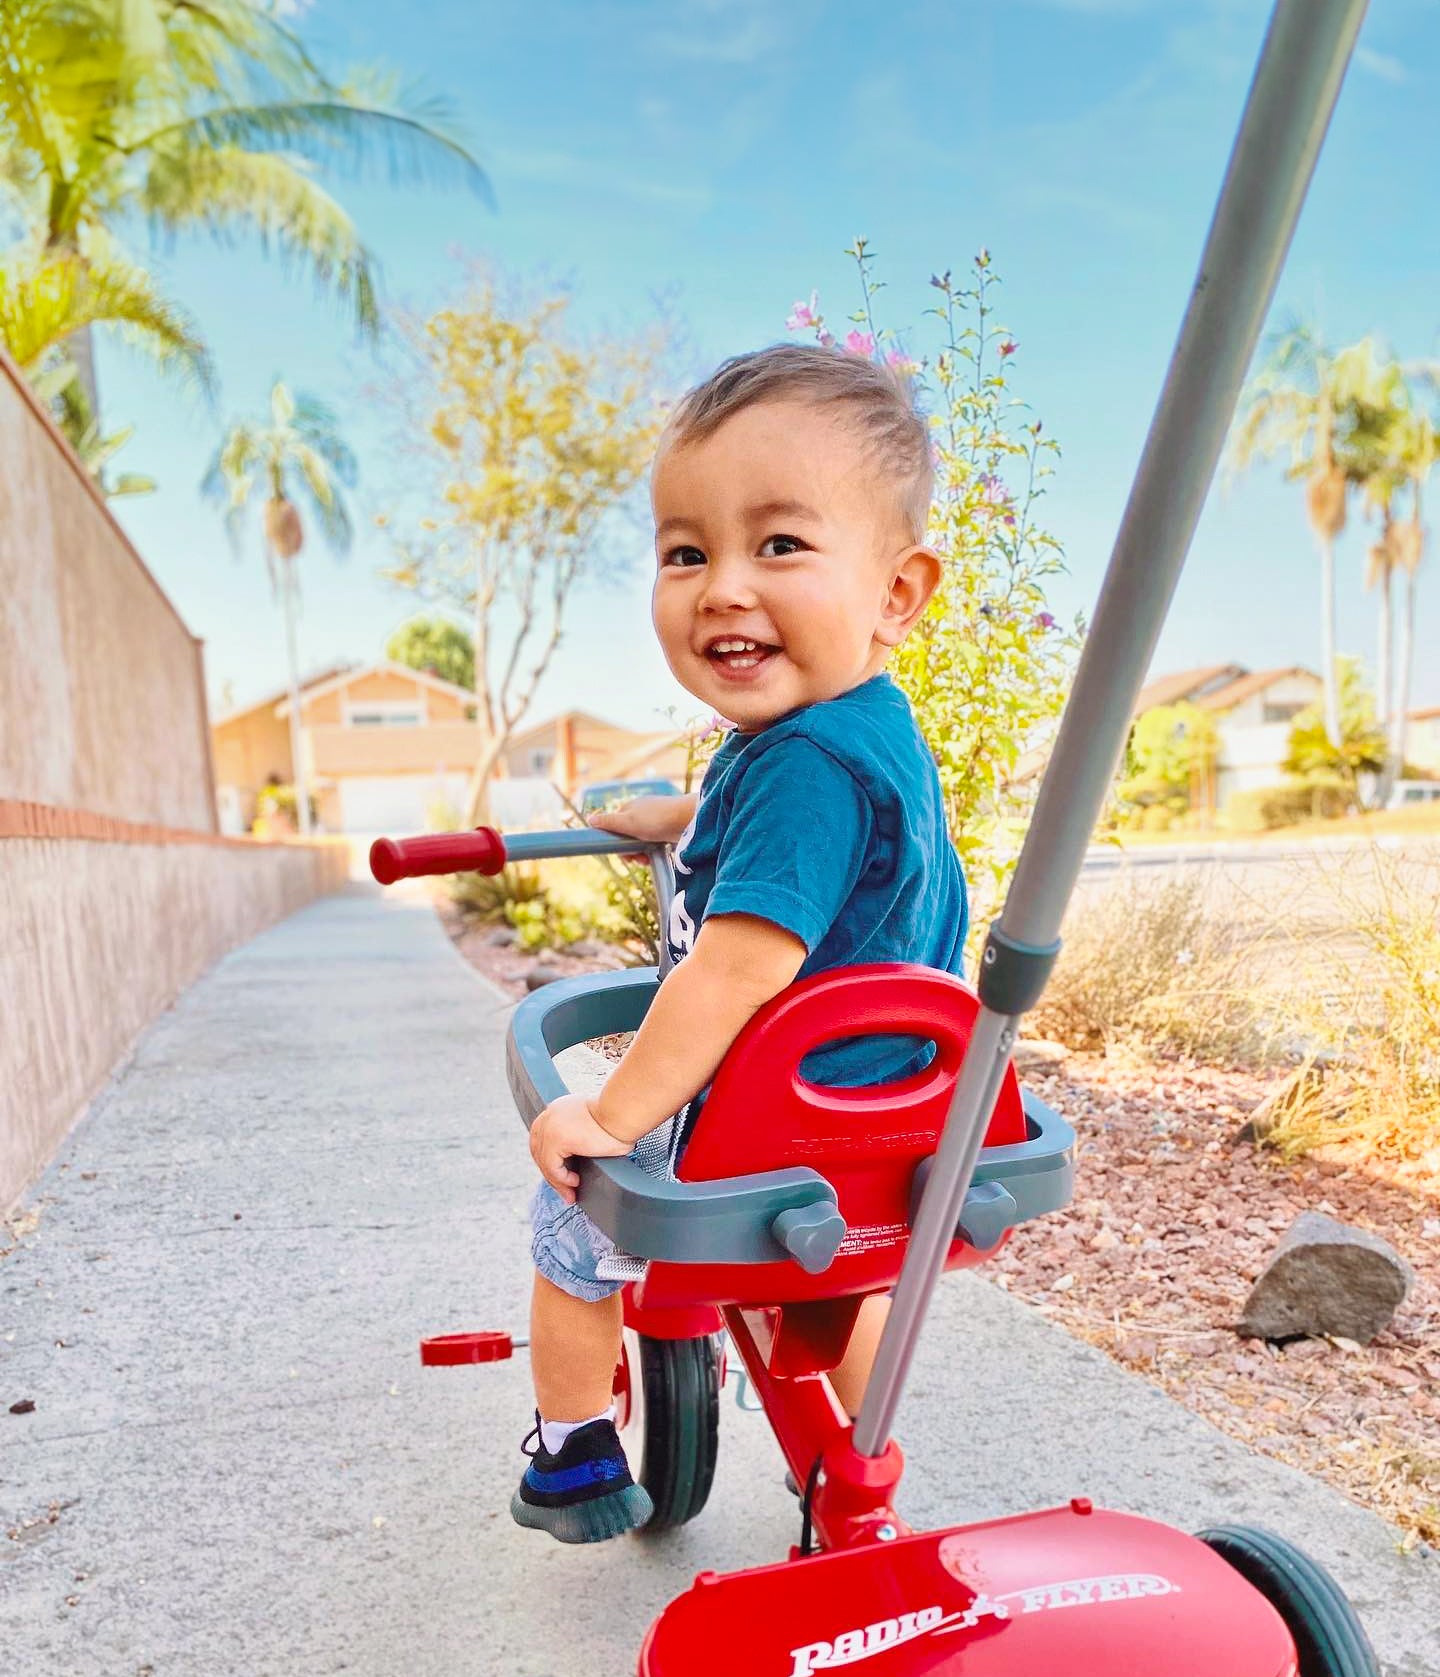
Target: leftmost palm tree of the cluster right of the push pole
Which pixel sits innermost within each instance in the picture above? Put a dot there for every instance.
(1323, 410)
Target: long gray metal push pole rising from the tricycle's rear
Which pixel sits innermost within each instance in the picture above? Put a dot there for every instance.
(1288, 110)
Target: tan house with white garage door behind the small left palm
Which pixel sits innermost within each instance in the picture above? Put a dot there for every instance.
(385, 747)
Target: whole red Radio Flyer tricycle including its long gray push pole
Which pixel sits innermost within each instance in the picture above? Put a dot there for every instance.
(797, 1203)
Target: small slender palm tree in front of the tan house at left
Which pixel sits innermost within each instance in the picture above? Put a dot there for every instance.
(298, 457)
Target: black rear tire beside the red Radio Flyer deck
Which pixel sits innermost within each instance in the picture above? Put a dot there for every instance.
(1329, 1636)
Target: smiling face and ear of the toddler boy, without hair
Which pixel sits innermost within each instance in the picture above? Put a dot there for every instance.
(785, 574)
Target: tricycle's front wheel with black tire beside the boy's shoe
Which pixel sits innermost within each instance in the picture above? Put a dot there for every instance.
(673, 1433)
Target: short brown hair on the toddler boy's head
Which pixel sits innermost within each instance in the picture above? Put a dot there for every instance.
(878, 400)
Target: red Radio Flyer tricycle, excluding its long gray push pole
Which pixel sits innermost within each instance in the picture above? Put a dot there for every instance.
(794, 1205)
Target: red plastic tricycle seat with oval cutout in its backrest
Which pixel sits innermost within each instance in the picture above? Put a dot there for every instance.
(764, 1116)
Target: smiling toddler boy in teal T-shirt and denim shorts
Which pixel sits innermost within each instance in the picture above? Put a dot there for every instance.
(790, 501)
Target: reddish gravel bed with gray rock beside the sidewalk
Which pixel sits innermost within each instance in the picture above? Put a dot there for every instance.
(1173, 1222)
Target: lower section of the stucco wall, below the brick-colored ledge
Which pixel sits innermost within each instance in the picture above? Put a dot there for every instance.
(98, 940)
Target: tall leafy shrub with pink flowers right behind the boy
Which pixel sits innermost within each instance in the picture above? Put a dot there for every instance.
(988, 667)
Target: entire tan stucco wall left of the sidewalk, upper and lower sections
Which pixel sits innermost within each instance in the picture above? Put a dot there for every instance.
(115, 888)
